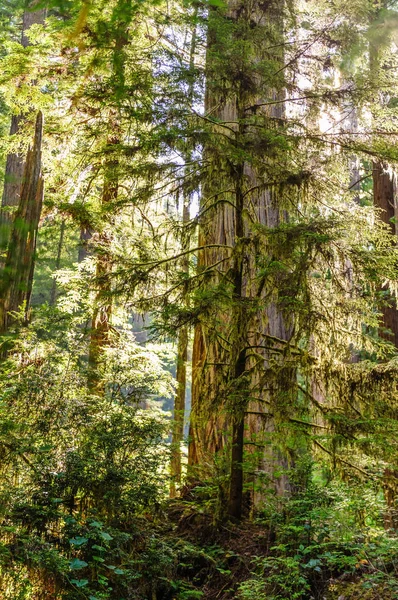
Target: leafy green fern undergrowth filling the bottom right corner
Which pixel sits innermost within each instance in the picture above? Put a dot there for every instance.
(326, 533)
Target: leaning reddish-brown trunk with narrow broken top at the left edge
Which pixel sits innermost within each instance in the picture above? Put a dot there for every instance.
(17, 277)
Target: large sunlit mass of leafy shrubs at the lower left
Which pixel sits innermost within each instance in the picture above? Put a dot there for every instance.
(85, 468)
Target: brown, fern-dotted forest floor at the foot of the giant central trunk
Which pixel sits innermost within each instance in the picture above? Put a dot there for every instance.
(213, 562)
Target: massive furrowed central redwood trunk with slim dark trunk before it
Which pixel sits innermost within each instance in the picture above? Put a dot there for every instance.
(246, 327)
